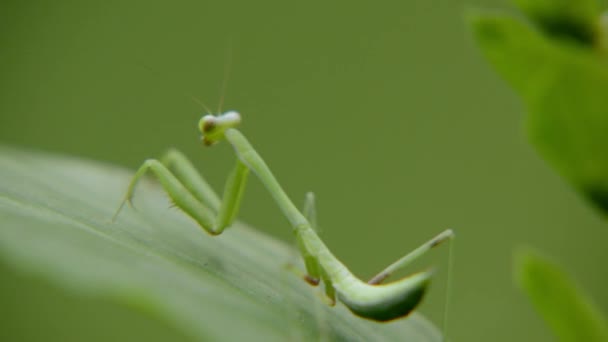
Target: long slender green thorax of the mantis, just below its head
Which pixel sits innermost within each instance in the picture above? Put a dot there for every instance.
(254, 162)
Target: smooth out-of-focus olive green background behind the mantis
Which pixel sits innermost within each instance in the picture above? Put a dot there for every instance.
(385, 109)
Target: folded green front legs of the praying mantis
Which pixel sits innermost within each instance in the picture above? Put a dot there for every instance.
(191, 193)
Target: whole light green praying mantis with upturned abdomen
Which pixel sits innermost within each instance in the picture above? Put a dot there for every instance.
(191, 193)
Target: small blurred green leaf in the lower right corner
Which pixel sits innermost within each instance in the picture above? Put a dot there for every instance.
(565, 308)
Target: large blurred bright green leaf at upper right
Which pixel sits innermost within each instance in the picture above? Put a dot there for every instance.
(564, 88)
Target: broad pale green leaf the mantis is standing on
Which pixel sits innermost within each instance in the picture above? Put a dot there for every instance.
(54, 216)
